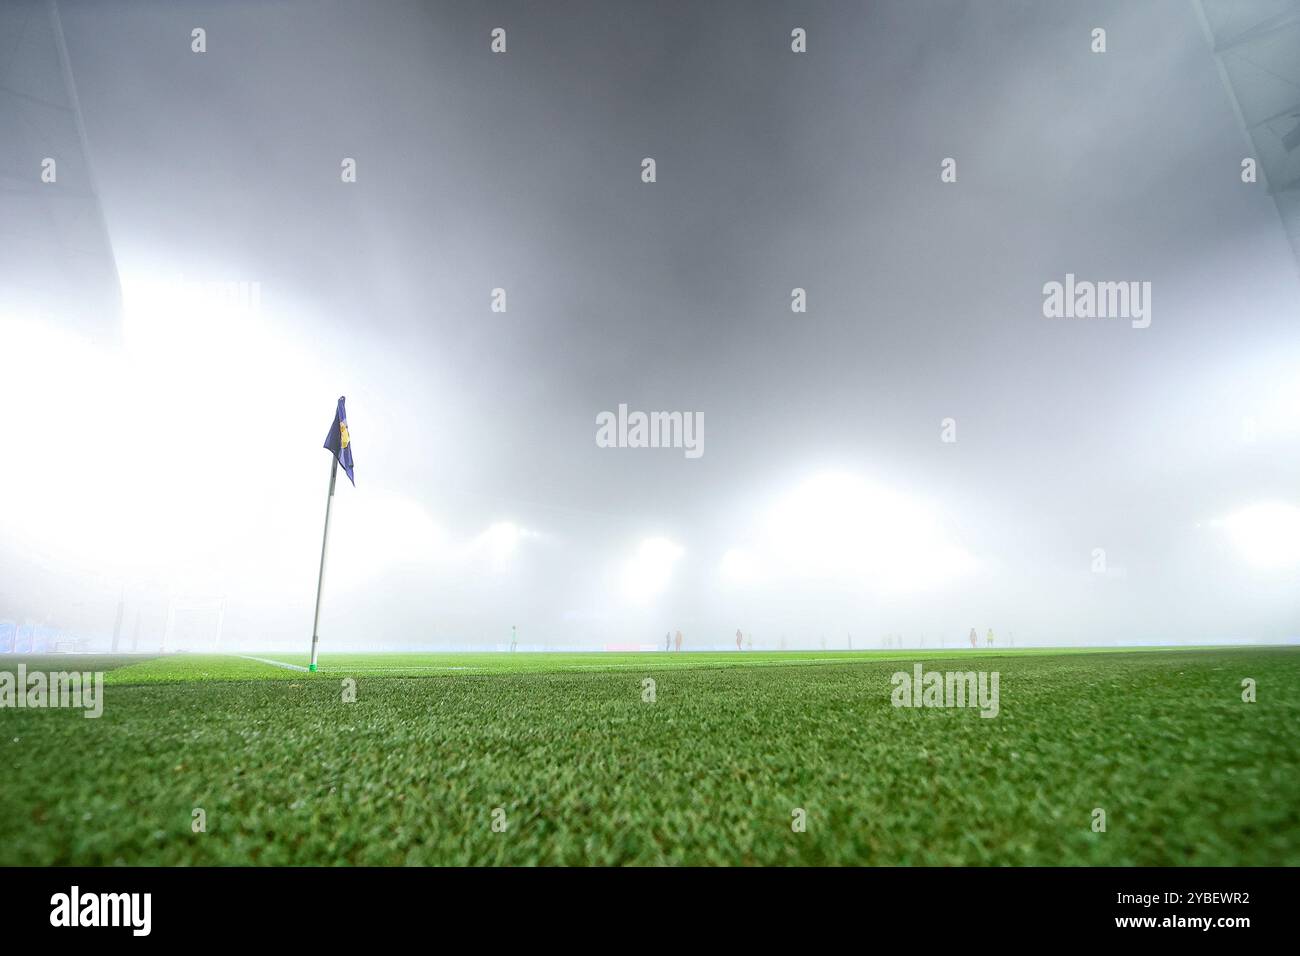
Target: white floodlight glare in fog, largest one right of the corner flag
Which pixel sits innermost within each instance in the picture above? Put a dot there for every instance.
(842, 527)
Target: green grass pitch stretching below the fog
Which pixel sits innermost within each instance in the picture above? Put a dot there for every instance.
(586, 772)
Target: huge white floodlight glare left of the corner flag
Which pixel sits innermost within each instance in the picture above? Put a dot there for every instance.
(164, 456)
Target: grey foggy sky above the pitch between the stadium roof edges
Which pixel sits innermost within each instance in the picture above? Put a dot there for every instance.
(775, 171)
